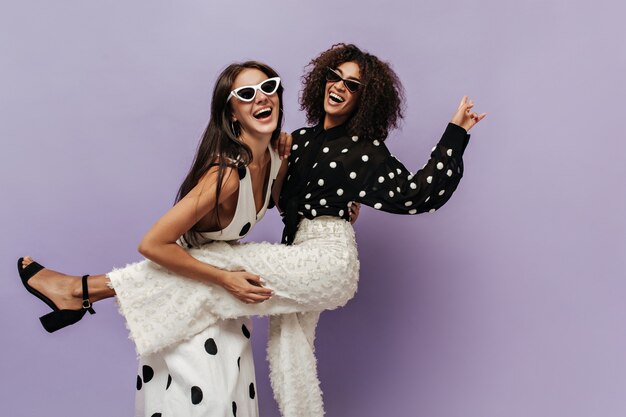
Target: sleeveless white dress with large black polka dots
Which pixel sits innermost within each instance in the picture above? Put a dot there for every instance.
(212, 373)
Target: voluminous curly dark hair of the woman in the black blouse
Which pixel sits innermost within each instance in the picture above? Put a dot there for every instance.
(381, 105)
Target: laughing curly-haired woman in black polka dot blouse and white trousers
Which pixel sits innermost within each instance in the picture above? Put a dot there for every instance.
(353, 99)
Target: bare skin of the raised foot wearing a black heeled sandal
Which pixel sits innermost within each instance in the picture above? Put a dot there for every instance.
(65, 291)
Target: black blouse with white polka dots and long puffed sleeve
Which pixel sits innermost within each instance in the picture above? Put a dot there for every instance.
(328, 169)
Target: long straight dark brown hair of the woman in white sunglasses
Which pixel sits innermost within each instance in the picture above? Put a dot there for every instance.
(220, 144)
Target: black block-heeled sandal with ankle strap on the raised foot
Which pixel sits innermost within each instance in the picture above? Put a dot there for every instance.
(57, 319)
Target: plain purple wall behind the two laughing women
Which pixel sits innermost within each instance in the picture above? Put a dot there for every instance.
(507, 302)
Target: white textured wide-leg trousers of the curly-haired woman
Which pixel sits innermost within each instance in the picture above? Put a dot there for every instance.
(318, 272)
